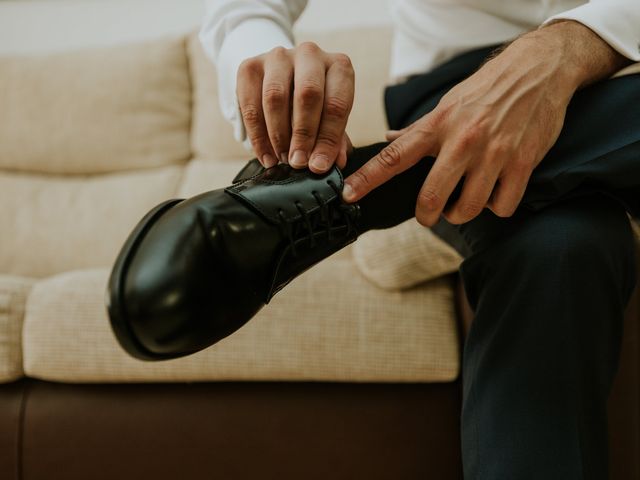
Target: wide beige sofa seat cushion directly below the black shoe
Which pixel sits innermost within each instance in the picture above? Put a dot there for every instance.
(329, 324)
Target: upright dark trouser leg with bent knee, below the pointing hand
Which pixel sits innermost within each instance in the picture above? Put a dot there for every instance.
(549, 291)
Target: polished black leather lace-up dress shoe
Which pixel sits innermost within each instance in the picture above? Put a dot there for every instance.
(194, 271)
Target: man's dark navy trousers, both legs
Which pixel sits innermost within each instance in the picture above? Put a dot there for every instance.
(548, 286)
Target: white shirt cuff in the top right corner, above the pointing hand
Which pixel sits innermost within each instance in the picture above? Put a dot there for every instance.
(617, 22)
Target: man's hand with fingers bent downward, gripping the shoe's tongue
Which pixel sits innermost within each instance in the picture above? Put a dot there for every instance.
(295, 104)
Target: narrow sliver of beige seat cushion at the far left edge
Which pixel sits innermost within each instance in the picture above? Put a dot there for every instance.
(13, 295)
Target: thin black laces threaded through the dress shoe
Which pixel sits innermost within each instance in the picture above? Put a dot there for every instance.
(310, 221)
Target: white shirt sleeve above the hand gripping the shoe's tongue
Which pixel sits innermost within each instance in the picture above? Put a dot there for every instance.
(234, 30)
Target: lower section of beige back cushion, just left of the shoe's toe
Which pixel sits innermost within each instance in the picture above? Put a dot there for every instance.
(54, 224)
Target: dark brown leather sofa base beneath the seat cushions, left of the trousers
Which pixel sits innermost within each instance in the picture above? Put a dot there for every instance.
(229, 431)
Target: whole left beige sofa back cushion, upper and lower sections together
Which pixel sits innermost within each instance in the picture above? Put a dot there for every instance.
(89, 142)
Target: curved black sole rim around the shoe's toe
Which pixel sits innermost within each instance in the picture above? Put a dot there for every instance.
(115, 290)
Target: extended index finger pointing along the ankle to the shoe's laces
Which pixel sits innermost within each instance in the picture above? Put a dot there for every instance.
(393, 159)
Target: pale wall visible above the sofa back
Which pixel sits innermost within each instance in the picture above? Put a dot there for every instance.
(52, 25)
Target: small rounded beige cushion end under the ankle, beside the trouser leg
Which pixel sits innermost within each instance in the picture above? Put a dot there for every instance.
(404, 256)
